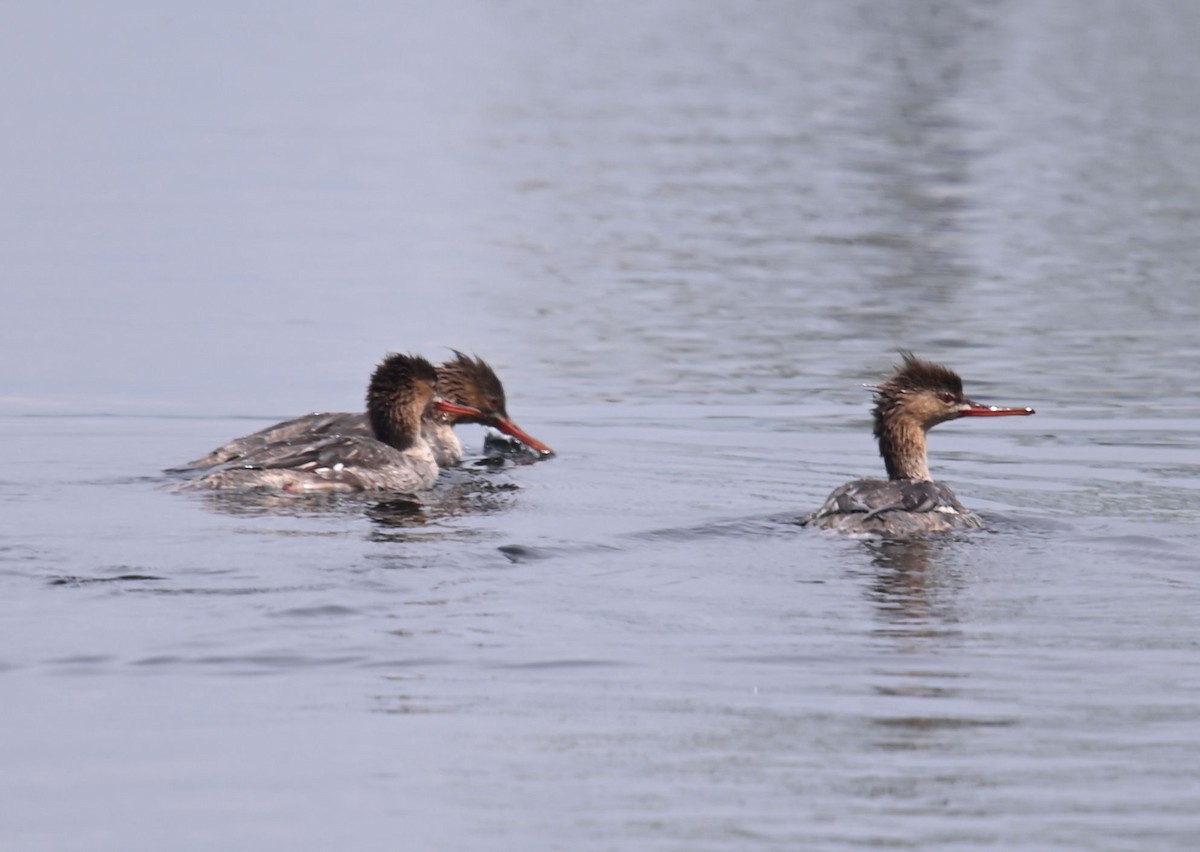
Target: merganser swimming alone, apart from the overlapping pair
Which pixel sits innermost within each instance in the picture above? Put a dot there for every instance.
(919, 397)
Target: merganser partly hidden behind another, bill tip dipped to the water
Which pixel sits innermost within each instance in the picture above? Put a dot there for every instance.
(467, 382)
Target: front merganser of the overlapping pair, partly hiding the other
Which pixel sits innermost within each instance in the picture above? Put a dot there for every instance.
(394, 458)
